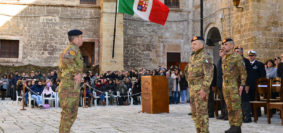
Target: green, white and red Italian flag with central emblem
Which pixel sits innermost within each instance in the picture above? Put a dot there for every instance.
(150, 10)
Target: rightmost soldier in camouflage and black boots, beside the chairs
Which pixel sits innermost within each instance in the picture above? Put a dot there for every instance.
(233, 72)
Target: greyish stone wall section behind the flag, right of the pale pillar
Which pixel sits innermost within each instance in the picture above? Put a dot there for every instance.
(147, 44)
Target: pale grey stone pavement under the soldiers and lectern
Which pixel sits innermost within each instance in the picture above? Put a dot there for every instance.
(117, 119)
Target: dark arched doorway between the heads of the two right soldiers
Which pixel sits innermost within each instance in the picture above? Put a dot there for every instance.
(212, 41)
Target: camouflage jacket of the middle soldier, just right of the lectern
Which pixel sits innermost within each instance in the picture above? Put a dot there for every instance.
(199, 70)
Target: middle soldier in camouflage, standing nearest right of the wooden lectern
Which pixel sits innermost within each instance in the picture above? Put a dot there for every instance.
(199, 73)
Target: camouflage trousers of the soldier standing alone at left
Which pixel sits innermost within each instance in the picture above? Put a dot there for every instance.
(69, 102)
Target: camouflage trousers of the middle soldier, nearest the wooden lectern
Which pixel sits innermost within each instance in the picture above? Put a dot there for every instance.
(199, 110)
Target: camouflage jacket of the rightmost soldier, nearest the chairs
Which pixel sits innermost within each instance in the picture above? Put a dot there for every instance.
(233, 68)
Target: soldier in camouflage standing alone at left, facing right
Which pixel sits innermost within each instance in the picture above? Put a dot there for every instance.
(70, 69)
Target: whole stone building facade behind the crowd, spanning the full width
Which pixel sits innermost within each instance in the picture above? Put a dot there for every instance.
(40, 28)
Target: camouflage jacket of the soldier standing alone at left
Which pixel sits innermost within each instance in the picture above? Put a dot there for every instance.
(70, 64)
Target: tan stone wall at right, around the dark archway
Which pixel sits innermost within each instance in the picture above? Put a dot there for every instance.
(254, 25)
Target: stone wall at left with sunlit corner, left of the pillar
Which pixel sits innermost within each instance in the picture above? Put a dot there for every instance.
(42, 26)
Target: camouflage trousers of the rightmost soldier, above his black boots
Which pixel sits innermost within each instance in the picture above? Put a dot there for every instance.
(233, 104)
